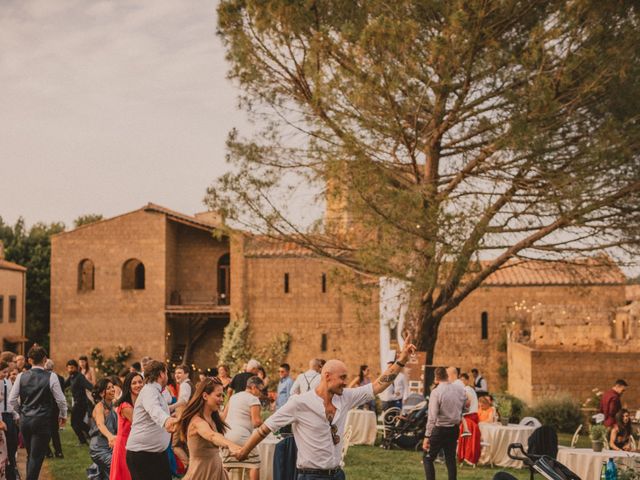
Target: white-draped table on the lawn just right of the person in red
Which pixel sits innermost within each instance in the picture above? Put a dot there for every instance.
(498, 437)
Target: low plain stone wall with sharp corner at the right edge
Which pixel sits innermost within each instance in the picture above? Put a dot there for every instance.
(536, 374)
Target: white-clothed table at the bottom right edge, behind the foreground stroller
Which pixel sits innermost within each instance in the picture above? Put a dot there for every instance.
(587, 464)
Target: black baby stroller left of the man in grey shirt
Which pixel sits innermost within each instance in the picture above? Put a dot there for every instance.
(406, 431)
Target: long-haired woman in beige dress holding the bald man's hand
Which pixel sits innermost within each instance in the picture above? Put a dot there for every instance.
(203, 430)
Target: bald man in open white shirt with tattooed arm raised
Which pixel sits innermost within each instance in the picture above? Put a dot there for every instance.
(318, 418)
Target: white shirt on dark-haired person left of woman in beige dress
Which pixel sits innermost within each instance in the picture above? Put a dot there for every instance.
(149, 416)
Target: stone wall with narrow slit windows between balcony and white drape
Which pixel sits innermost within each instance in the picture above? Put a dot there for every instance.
(306, 313)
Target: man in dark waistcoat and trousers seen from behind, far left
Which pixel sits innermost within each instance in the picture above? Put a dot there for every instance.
(33, 396)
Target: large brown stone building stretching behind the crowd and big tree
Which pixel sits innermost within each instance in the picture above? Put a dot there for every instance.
(163, 283)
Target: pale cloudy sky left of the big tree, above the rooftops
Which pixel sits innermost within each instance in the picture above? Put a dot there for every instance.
(108, 105)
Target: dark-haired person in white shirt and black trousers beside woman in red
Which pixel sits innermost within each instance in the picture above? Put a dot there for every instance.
(150, 431)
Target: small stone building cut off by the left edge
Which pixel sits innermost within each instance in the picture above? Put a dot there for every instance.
(13, 287)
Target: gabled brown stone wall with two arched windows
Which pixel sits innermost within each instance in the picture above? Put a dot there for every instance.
(108, 315)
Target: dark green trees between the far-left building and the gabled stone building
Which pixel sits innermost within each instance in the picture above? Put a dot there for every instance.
(31, 248)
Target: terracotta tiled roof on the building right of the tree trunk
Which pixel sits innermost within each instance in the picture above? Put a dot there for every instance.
(540, 272)
